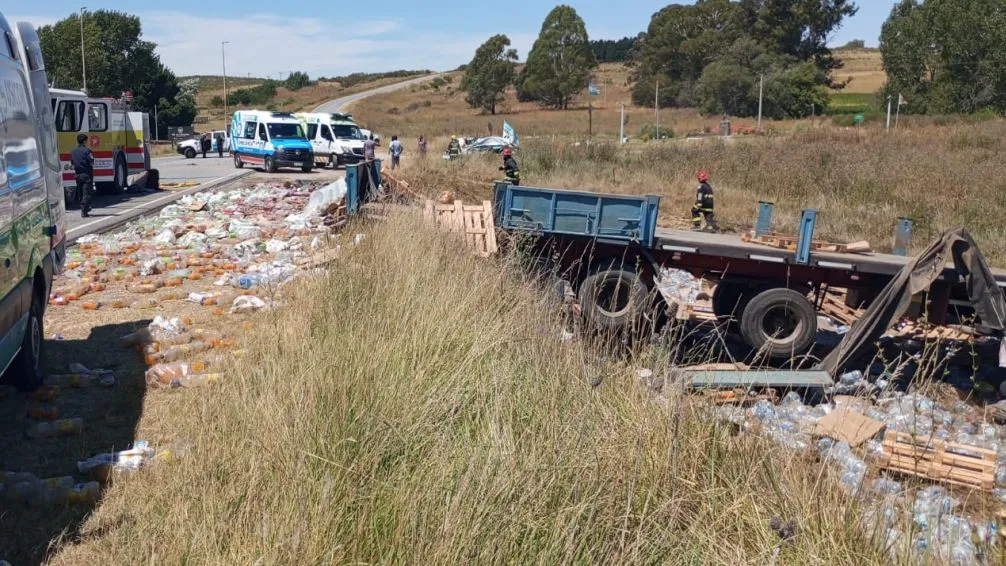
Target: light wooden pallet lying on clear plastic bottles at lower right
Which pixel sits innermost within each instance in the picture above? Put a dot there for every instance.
(947, 463)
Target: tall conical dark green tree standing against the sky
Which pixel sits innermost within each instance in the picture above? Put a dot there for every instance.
(560, 64)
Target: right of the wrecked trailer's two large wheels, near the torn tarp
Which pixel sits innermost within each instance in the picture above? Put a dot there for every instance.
(780, 322)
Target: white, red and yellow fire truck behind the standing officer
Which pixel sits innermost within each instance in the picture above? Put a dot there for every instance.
(117, 137)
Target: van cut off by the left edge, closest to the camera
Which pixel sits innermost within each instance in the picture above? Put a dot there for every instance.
(33, 215)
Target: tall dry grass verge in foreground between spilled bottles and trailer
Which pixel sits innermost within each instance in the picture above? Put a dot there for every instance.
(415, 406)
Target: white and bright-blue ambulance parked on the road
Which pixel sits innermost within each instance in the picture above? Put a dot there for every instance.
(270, 140)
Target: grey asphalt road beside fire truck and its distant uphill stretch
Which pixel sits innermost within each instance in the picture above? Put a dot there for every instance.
(112, 211)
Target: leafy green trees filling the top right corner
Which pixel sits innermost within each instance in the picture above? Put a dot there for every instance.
(946, 56)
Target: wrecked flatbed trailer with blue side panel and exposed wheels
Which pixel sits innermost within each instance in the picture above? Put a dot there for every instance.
(610, 250)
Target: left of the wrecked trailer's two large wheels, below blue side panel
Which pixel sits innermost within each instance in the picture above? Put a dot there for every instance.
(613, 298)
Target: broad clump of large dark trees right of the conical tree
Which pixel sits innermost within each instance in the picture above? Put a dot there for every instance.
(692, 52)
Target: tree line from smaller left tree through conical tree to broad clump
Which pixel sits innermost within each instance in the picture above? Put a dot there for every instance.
(715, 55)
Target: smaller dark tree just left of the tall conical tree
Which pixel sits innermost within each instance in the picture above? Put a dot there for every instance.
(492, 70)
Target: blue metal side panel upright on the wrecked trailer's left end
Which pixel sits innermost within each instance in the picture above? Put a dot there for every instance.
(617, 219)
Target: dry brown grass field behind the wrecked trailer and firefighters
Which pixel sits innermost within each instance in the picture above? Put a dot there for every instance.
(860, 180)
